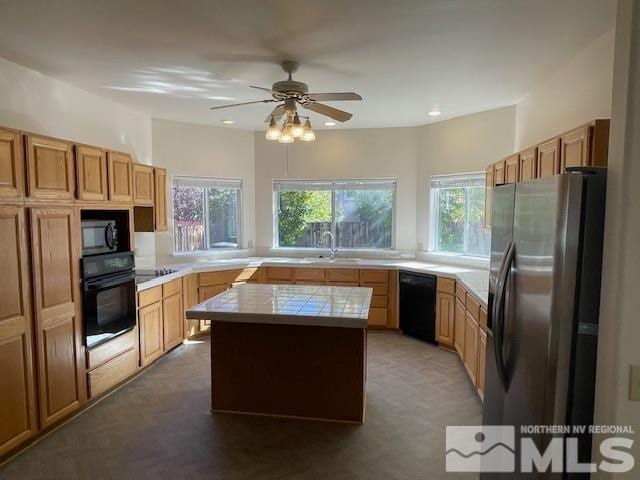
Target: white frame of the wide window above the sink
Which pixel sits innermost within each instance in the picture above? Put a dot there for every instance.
(275, 242)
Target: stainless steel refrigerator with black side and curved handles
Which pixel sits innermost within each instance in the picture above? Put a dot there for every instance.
(544, 295)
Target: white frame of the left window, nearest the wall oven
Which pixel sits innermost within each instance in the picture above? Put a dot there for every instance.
(210, 183)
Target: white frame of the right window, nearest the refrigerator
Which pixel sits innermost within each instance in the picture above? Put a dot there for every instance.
(434, 212)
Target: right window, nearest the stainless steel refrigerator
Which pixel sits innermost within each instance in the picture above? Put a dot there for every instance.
(457, 215)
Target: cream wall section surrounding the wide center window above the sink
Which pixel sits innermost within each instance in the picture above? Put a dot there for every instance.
(340, 154)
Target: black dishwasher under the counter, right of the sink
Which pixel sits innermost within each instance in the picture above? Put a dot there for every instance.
(418, 305)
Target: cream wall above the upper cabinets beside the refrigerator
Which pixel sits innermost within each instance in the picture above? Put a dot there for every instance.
(573, 94)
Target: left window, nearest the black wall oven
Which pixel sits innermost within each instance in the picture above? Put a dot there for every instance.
(206, 214)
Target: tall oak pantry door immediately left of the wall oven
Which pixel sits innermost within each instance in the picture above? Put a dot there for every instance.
(58, 330)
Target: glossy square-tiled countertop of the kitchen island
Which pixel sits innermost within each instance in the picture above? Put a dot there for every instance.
(306, 305)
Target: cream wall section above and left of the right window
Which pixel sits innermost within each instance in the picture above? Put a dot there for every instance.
(460, 145)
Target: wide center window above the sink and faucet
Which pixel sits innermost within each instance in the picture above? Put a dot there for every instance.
(360, 213)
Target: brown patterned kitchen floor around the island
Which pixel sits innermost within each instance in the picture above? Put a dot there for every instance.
(158, 426)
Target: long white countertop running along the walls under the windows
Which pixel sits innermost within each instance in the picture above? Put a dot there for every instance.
(475, 281)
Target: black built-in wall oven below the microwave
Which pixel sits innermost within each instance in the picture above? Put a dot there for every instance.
(109, 296)
